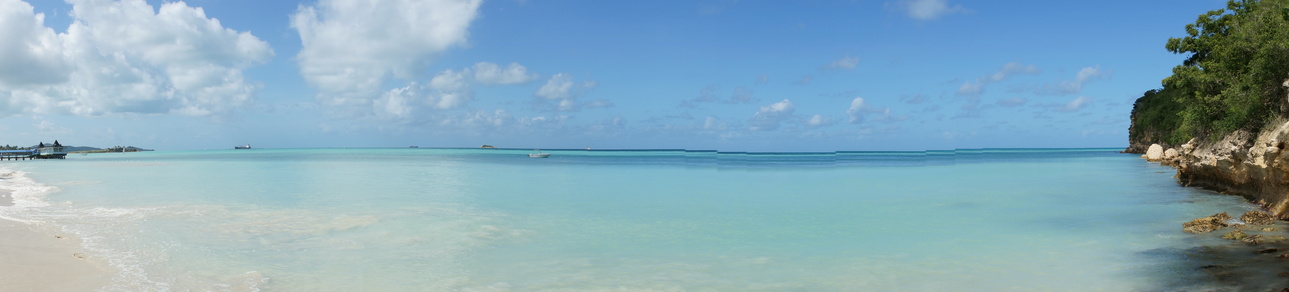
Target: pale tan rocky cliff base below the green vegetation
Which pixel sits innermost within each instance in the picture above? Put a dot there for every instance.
(1242, 164)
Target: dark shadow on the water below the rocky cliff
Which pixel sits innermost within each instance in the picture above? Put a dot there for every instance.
(1226, 266)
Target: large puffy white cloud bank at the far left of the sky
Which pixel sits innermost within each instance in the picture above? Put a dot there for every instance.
(124, 57)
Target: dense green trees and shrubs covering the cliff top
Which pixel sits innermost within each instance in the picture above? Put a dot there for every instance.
(1232, 80)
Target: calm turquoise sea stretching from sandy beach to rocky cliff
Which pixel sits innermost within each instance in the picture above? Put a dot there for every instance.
(622, 221)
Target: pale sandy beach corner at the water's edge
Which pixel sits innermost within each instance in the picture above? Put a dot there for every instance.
(33, 259)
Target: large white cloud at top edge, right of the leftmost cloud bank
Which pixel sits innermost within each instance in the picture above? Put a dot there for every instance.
(351, 48)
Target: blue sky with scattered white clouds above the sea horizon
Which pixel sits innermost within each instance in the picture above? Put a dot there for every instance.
(717, 75)
